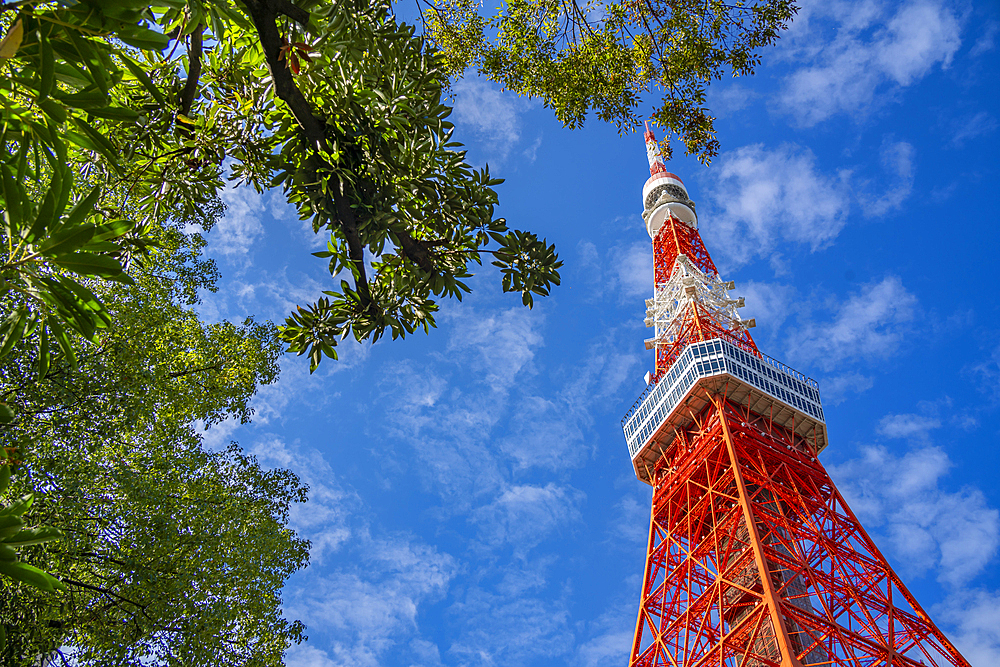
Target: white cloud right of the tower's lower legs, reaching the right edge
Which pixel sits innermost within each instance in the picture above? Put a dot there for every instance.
(924, 527)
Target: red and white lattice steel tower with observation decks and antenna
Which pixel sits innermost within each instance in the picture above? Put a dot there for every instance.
(754, 559)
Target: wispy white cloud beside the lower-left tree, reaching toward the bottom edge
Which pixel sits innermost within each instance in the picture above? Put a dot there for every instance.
(367, 603)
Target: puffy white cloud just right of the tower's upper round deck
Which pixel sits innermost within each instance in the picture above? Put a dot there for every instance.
(760, 198)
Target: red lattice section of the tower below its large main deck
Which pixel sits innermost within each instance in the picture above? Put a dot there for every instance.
(752, 548)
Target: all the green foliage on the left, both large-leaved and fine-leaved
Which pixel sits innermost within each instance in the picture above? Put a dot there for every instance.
(116, 118)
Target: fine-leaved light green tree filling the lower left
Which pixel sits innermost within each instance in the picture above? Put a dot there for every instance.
(172, 553)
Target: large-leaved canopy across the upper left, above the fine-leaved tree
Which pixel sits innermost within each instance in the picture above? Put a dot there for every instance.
(117, 116)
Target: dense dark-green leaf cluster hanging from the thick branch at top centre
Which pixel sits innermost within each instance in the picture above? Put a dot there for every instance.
(376, 168)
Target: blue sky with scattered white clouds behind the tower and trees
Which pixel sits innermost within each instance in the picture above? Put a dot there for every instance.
(472, 499)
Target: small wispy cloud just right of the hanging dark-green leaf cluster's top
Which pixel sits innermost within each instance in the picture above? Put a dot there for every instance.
(493, 117)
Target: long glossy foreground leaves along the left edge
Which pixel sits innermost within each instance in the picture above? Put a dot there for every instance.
(49, 247)
